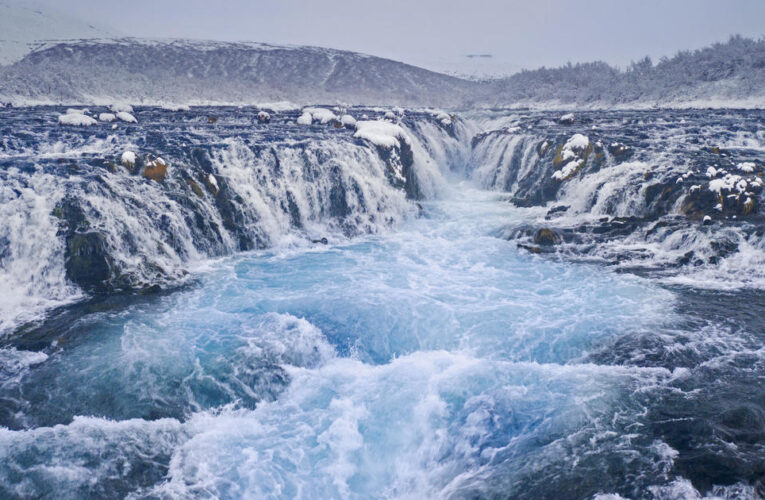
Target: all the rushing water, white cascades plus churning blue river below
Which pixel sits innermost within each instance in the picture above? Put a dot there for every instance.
(426, 357)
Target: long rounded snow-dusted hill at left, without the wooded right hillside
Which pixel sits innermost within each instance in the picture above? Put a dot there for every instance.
(220, 72)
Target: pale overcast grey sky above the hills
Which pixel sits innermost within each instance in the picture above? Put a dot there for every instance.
(439, 34)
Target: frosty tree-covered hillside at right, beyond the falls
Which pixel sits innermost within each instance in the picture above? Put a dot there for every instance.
(725, 73)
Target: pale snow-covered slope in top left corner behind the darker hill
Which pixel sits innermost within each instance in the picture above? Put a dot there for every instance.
(22, 25)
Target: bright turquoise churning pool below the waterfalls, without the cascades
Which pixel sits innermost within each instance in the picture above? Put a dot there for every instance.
(434, 361)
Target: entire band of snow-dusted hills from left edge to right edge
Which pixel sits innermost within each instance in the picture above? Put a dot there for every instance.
(189, 72)
